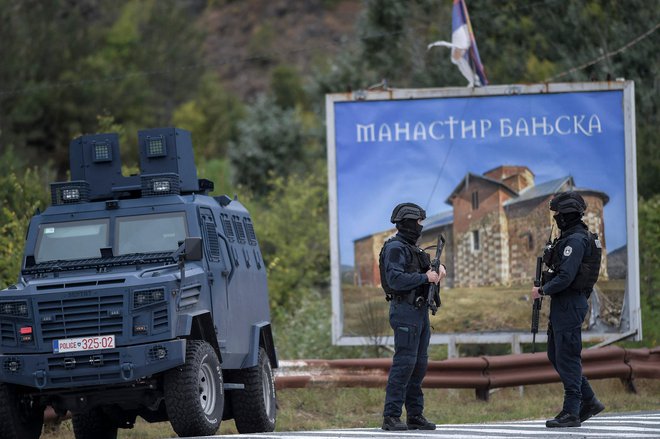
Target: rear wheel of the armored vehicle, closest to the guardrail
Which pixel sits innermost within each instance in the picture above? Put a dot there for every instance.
(255, 407)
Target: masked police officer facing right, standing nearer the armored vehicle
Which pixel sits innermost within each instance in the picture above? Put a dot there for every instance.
(406, 276)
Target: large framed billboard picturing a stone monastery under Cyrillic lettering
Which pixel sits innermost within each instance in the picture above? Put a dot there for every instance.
(483, 163)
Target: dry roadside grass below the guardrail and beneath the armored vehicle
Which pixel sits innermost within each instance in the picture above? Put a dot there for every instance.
(324, 408)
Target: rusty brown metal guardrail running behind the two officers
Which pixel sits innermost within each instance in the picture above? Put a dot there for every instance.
(479, 373)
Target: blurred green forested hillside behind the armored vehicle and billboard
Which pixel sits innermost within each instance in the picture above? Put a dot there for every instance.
(248, 78)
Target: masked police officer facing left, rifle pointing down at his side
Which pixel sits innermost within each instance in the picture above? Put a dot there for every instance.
(574, 262)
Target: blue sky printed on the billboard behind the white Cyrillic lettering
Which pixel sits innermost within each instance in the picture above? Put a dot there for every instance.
(419, 151)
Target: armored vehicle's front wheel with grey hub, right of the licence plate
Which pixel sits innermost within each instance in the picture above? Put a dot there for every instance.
(194, 393)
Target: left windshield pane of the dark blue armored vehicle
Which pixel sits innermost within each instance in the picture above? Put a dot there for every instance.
(71, 240)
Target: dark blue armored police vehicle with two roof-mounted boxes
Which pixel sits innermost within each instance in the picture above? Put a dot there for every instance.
(138, 296)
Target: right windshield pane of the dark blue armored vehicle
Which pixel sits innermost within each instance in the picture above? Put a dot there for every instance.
(150, 233)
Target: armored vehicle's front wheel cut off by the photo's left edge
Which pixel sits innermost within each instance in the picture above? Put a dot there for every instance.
(20, 416)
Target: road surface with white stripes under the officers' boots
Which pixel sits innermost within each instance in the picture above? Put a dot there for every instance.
(622, 425)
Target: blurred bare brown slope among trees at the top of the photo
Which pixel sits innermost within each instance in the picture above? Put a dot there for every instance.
(248, 38)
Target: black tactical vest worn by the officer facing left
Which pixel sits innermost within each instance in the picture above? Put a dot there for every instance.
(587, 275)
